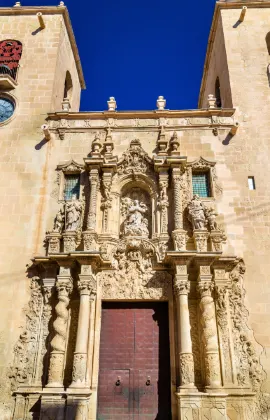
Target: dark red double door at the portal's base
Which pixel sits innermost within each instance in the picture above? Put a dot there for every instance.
(134, 375)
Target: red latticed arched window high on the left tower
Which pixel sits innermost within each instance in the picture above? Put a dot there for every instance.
(10, 55)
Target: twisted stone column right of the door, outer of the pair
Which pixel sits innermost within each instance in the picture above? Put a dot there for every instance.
(208, 320)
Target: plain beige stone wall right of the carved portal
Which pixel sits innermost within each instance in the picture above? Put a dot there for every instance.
(247, 154)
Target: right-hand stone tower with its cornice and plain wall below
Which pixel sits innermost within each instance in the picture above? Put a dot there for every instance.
(238, 57)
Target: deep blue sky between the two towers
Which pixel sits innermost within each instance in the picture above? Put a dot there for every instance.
(138, 50)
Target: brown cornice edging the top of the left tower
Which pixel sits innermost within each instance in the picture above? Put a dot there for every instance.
(51, 10)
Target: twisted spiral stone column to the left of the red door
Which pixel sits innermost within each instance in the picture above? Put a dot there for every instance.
(58, 344)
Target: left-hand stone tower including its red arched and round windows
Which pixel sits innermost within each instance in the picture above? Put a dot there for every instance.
(39, 68)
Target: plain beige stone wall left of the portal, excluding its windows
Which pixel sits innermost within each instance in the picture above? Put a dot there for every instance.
(24, 158)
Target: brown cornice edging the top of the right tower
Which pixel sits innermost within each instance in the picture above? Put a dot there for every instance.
(219, 6)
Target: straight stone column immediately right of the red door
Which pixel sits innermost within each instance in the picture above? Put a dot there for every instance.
(186, 363)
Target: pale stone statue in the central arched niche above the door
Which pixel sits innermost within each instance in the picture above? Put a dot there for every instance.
(136, 224)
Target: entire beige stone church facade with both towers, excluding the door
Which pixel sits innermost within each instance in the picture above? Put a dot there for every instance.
(135, 231)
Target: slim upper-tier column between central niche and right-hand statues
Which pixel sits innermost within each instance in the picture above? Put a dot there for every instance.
(179, 235)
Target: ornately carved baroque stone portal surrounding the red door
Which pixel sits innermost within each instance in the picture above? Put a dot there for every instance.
(126, 239)
